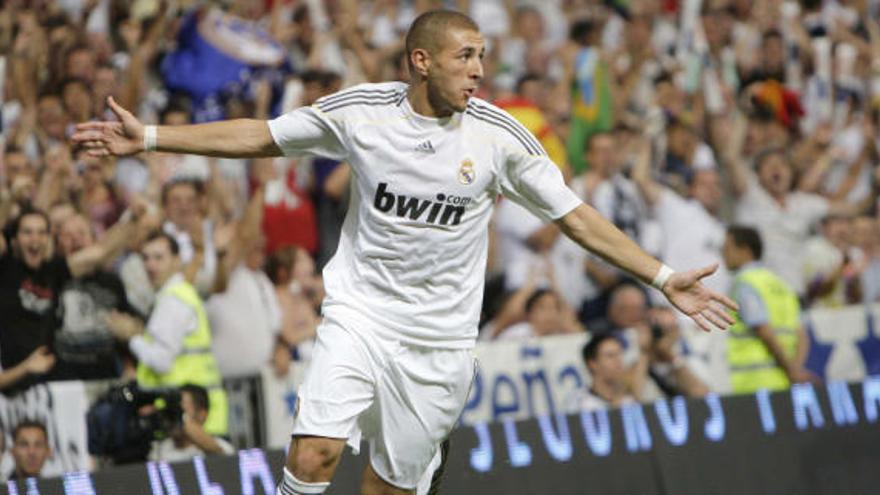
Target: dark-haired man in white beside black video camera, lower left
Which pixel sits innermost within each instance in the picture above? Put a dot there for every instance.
(189, 438)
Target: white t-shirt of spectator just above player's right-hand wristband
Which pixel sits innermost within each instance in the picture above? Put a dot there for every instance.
(692, 237)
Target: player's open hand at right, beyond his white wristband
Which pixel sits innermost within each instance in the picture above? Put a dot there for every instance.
(705, 306)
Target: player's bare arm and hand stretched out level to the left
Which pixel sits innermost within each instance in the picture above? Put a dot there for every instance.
(242, 138)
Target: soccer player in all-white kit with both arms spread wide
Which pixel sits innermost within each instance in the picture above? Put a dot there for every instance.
(393, 356)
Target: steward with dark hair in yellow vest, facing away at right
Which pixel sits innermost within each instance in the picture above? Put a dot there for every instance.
(767, 346)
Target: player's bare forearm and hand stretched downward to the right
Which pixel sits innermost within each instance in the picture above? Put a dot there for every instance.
(684, 290)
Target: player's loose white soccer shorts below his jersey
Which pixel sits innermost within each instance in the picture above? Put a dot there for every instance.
(403, 399)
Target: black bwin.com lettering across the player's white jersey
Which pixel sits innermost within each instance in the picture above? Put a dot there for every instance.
(446, 210)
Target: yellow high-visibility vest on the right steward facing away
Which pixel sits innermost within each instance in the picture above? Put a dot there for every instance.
(752, 366)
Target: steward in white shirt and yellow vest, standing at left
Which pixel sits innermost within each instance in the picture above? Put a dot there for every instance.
(175, 347)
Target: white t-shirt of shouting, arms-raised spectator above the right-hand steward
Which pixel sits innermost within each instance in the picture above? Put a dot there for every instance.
(783, 230)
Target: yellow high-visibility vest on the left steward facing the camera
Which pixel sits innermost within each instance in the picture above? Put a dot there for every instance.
(195, 364)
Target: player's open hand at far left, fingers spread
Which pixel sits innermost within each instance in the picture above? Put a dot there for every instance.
(125, 137)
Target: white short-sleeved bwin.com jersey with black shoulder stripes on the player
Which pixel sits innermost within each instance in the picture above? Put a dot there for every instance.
(412, 253)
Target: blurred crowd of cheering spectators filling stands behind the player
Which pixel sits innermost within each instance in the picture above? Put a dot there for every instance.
(676, 123)
